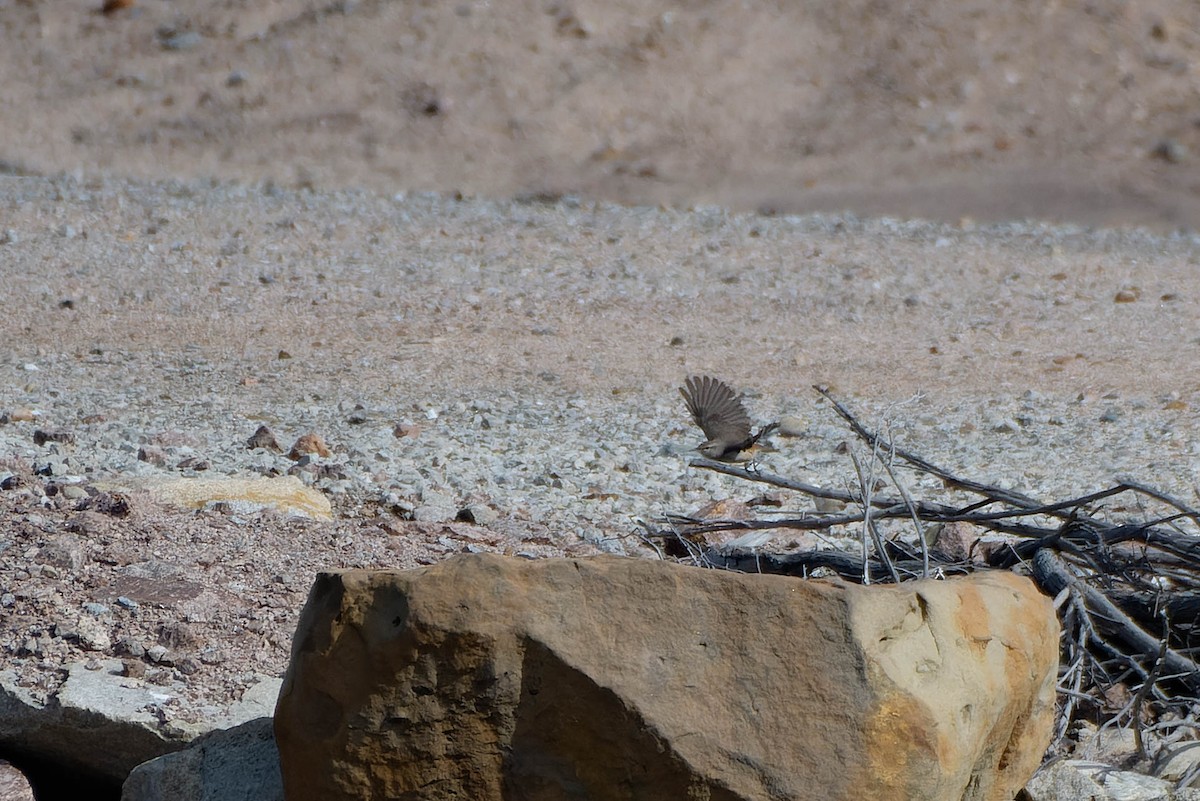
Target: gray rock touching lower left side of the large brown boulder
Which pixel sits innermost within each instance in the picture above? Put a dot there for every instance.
(238, 764)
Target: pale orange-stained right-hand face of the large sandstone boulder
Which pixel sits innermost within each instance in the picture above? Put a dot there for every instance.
(973, 667)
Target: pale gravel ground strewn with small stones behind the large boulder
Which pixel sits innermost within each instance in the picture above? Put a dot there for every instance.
(529, 356)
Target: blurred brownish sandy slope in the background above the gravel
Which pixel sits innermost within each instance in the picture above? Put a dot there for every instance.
(1071, 112)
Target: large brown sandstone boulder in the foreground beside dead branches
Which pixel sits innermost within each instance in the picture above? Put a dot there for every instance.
(489, 678)
